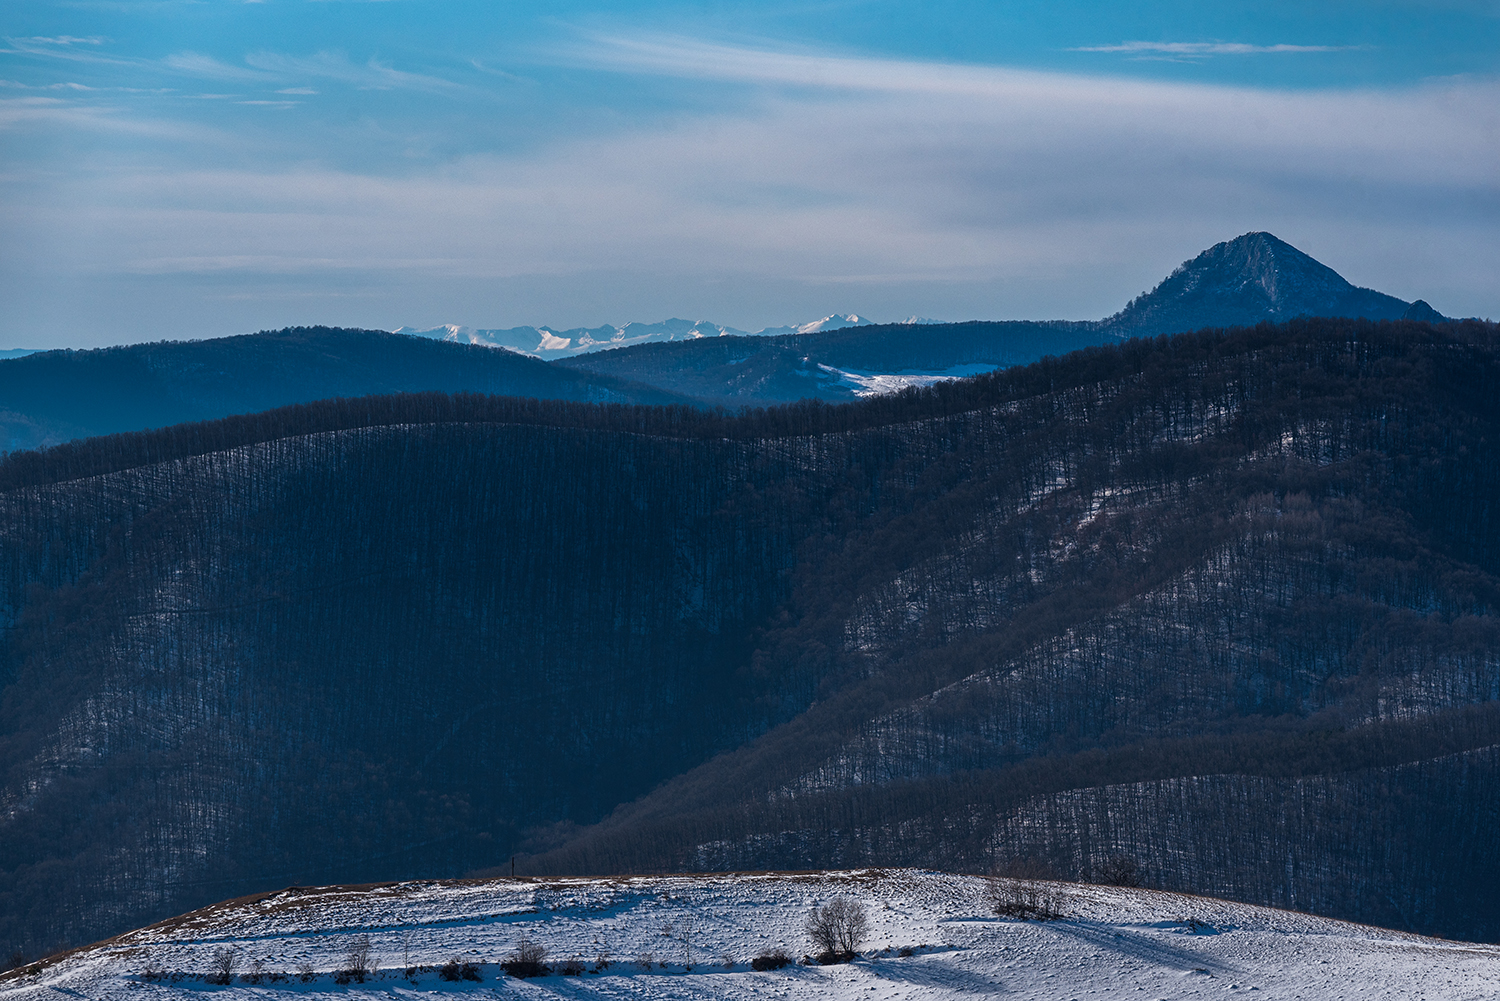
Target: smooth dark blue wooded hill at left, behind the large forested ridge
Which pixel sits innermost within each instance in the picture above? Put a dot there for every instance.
(55, 397)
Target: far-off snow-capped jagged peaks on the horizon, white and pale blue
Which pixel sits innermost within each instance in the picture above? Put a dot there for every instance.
(548, 343)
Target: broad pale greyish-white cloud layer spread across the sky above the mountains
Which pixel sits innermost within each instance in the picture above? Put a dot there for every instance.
(886, 185)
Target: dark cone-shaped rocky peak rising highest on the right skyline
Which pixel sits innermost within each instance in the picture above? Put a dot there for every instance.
(1250, 280)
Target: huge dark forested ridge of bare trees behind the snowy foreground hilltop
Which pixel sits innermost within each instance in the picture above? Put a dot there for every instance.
(1225, 604)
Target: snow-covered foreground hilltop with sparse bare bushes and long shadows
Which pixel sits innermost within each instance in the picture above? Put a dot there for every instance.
(932, 936)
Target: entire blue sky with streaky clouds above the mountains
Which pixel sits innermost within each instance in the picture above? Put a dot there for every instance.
(191, 169)
